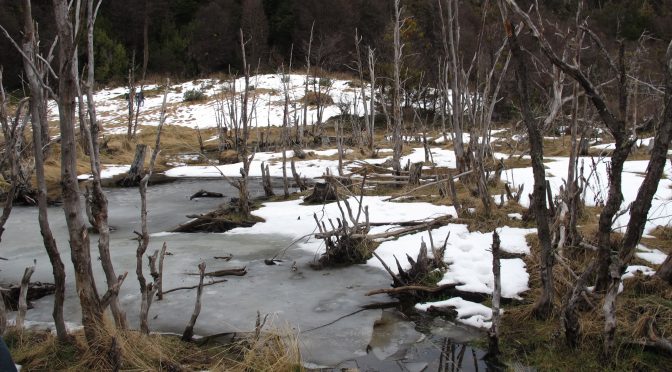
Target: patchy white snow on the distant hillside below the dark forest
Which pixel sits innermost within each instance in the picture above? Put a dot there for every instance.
(265, 105)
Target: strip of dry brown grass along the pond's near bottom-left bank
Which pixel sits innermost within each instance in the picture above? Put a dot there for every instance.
(40, 350)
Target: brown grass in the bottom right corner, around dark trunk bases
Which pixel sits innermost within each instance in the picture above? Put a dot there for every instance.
(541, 343)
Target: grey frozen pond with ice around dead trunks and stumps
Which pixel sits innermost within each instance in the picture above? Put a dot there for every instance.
(300, 299)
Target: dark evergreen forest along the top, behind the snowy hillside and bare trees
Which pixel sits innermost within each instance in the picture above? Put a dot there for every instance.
(190, 38)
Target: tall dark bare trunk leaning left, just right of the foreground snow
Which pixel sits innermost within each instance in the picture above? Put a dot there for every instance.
(544, 305)
